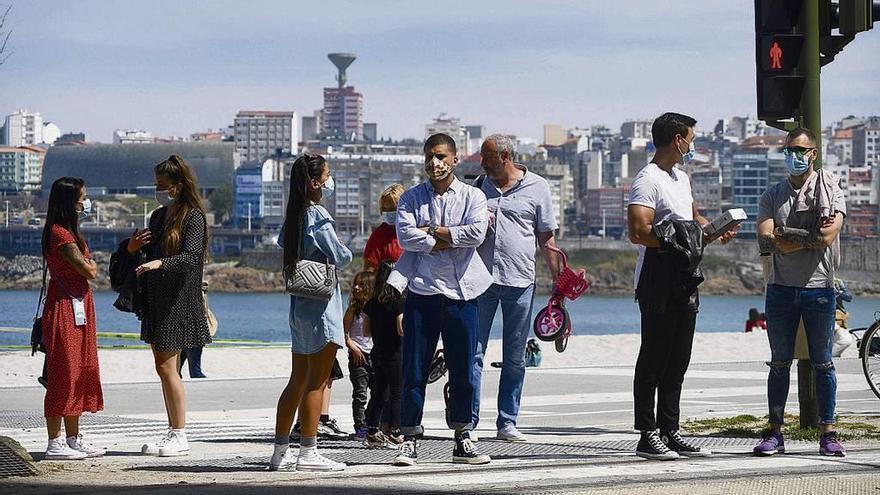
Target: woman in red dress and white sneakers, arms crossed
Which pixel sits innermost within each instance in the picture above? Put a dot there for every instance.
(73, 381)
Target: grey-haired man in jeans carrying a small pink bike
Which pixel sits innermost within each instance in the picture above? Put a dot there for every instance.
(521, 218)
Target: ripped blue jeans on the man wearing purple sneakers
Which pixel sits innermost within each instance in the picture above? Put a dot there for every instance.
(785, 307)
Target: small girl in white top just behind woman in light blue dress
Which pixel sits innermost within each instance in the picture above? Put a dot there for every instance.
(359, 344)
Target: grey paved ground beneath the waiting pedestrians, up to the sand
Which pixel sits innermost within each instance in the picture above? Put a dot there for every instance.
(578, 421)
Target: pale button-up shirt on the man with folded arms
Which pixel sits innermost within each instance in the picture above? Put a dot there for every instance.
(458, 272)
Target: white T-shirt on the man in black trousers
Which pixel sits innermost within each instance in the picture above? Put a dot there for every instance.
(667, 193)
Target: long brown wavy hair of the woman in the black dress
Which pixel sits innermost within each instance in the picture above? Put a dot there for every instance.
(178, 172)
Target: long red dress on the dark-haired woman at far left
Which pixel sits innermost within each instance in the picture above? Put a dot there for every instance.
(74, 382)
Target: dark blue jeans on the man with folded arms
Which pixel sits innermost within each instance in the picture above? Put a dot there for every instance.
(425, 319)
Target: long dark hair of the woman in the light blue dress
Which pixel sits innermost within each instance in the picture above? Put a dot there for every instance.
(305, 169)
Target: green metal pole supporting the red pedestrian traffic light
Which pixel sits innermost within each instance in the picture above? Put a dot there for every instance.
(811, 113)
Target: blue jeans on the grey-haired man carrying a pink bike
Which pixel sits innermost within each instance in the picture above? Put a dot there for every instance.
(516, 313)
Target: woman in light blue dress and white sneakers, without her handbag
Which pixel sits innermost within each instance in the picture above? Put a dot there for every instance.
(316, 329)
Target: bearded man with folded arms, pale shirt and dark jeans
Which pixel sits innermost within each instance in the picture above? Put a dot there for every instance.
(440, 224)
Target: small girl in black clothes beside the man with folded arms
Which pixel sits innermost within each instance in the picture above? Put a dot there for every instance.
(384, 322)
